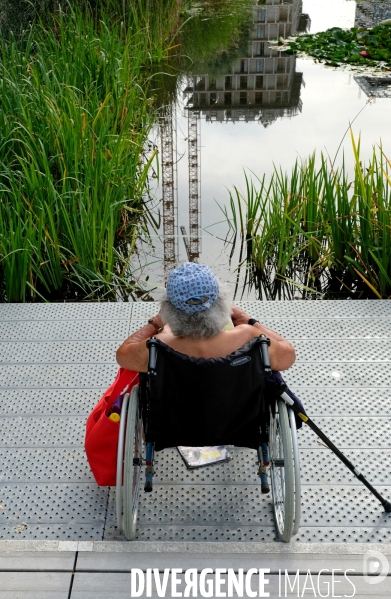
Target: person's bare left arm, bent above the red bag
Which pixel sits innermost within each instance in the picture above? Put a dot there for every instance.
(133, 353)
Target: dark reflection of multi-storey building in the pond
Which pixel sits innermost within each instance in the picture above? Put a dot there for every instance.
(263, 84)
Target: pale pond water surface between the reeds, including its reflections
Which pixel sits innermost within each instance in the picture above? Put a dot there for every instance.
(265, 109)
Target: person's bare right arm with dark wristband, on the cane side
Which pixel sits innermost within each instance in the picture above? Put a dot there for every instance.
(282, 353)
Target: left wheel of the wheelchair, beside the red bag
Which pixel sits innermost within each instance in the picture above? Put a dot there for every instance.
(127, 498)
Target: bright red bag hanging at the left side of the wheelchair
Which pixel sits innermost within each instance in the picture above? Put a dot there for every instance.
(101, 438)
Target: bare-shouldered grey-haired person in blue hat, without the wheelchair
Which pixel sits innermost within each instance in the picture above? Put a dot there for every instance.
(192, 321)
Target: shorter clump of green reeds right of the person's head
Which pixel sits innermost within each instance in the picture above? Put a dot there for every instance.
(319, 228)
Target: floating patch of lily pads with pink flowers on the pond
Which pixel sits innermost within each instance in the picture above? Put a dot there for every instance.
(337, 46)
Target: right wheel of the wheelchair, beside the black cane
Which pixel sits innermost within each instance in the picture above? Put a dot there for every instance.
(282, 471)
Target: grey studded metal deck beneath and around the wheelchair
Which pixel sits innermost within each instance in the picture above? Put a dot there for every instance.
(57, 359)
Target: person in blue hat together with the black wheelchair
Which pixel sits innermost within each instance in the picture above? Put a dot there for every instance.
(203, 384)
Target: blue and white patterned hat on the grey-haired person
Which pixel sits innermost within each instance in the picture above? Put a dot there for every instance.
(192, 287)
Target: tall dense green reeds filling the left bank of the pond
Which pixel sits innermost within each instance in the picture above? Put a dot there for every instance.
(74, 120)
